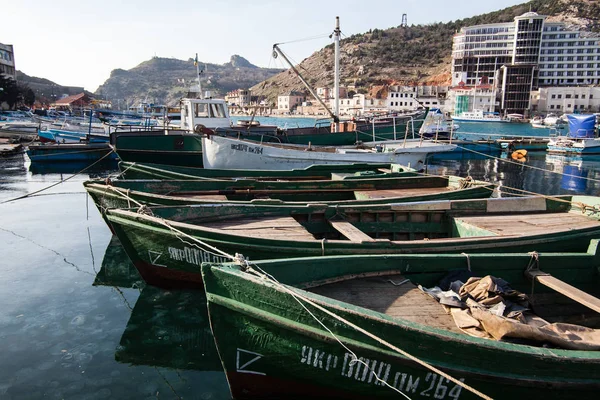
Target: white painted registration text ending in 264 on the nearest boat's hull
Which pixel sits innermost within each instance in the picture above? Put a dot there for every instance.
(367, 371)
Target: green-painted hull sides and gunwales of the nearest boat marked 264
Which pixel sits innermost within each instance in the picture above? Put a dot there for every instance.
(271, 346)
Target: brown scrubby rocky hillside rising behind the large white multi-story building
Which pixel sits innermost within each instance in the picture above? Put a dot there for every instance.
(417, 54)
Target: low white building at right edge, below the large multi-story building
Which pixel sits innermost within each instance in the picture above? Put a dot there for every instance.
(568, 99)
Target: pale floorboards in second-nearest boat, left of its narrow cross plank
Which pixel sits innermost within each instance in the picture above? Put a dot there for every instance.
(272, 228)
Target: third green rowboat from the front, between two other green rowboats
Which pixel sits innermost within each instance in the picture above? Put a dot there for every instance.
(345, 190)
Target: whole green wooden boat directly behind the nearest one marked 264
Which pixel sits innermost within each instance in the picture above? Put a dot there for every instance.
(167, 244)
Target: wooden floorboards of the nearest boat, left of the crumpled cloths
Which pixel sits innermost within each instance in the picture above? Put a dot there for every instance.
(405, 301)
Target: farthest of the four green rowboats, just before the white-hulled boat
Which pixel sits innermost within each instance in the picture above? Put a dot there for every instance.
(132, 170)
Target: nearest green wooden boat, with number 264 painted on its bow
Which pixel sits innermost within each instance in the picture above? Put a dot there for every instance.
(276, 341)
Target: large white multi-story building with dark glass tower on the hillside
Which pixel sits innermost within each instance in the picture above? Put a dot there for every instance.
(521, 56)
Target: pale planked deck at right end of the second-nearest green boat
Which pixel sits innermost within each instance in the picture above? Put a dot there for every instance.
(530, 223)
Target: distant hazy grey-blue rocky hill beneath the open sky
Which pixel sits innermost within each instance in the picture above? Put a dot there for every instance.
(166, 80)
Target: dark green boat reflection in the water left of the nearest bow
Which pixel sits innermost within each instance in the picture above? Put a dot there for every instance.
(166, 328)
